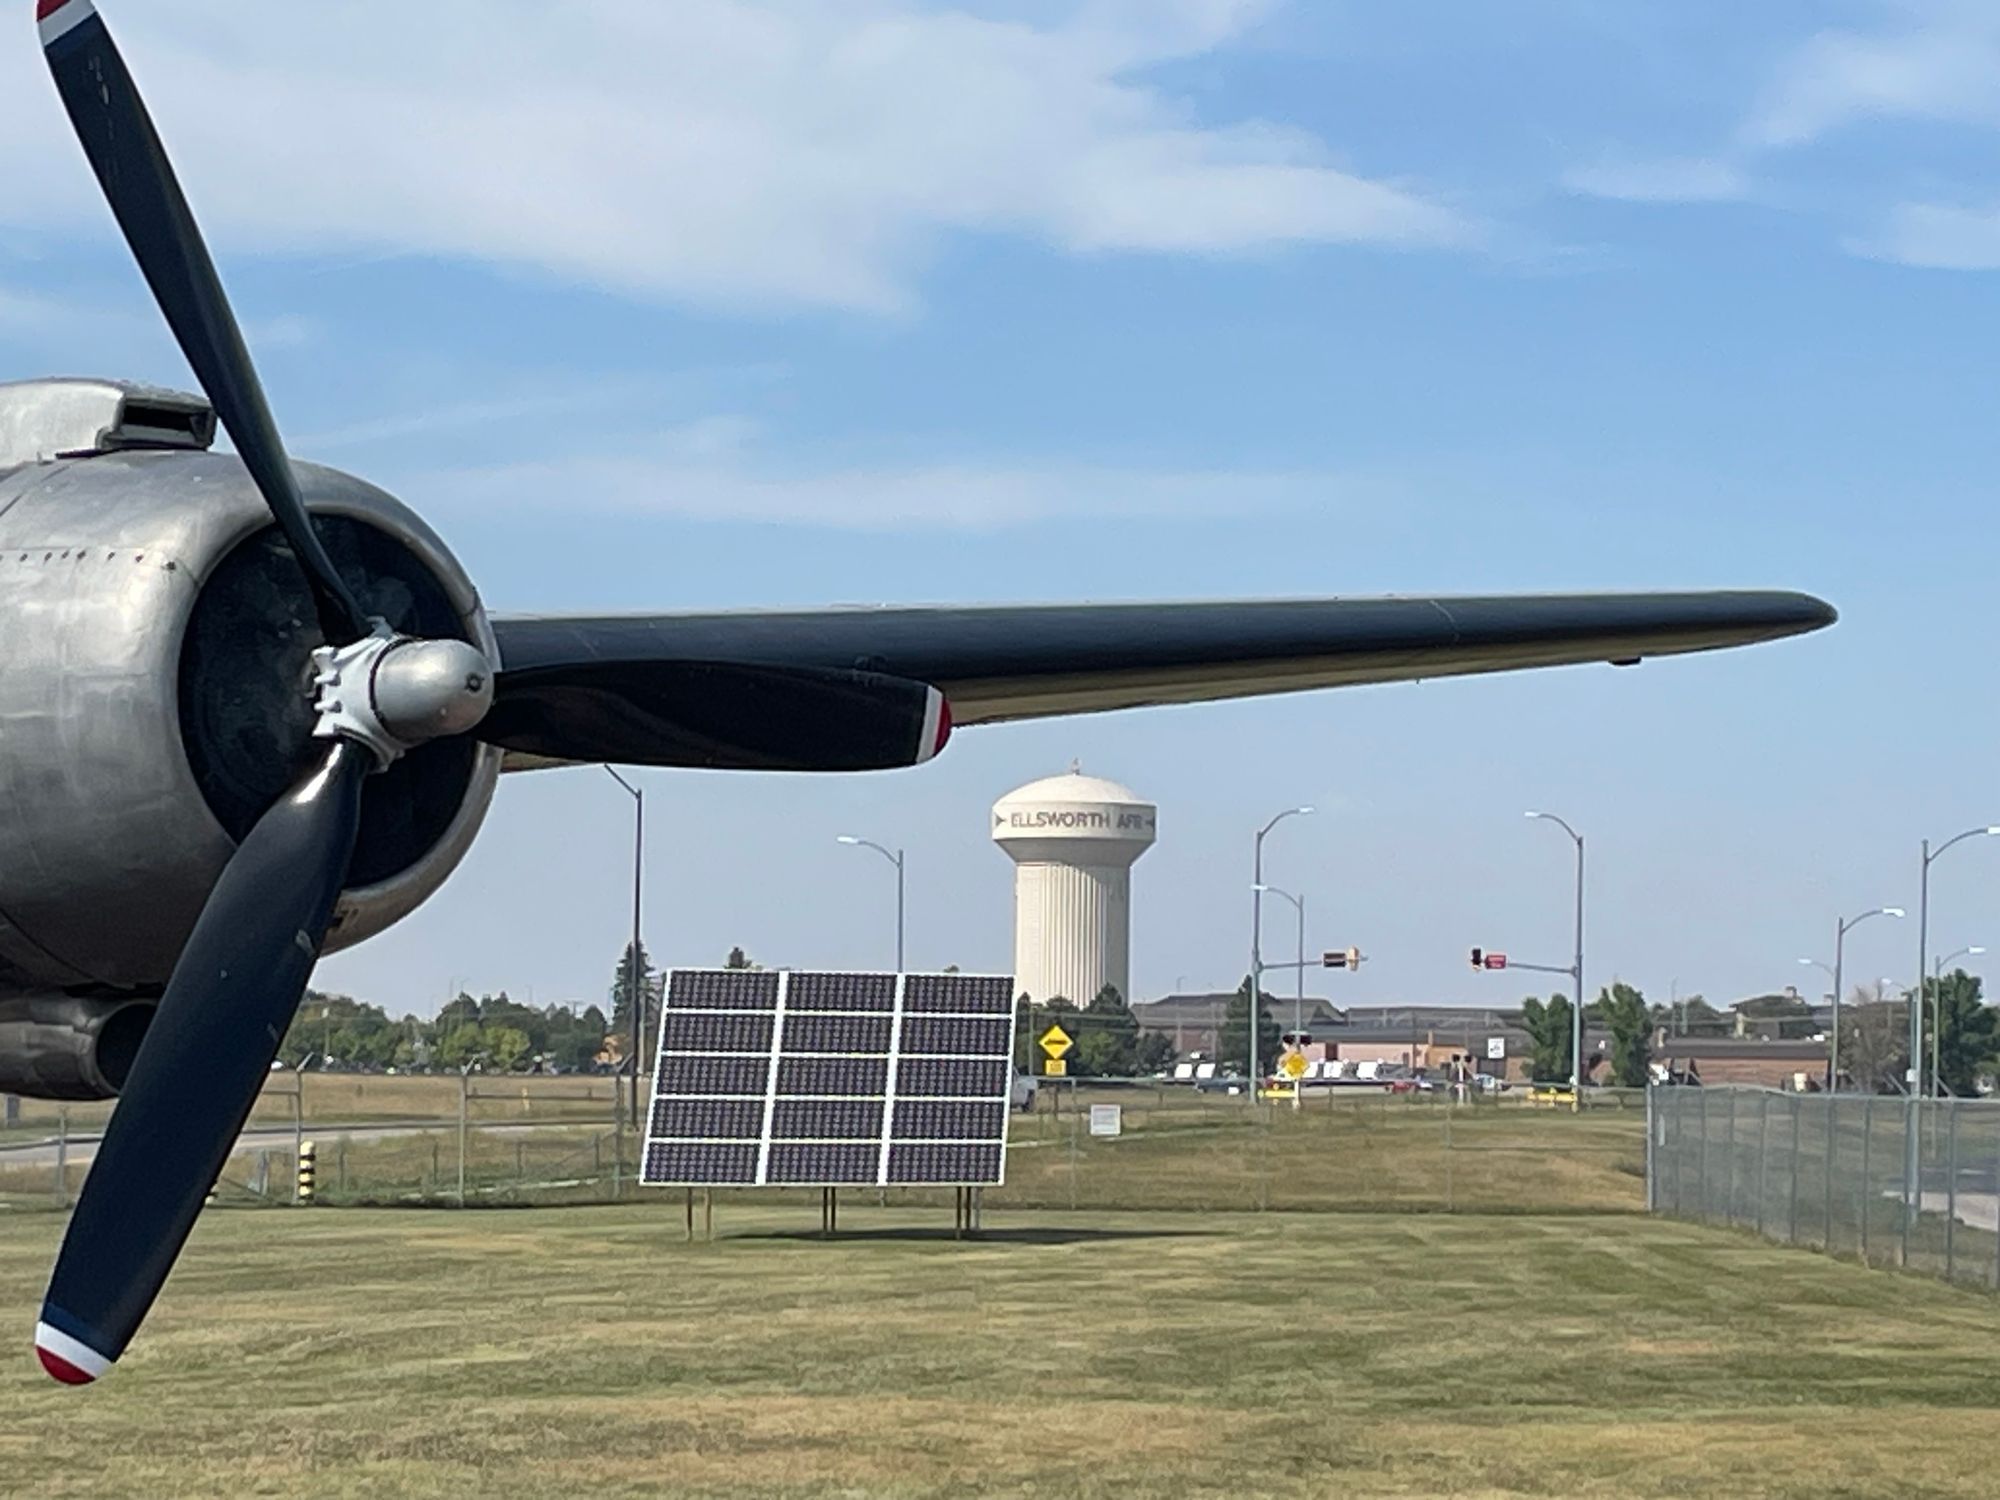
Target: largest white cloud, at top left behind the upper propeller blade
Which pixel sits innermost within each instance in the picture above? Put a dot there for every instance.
(717, 151)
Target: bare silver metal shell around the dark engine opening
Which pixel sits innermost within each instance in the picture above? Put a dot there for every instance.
(107, 841)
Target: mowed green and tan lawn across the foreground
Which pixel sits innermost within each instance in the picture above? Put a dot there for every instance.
(593, 1353)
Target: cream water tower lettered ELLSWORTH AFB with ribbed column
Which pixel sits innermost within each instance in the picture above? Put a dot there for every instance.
(1073, 841)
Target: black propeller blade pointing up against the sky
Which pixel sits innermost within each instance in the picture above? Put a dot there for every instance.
(139, 183)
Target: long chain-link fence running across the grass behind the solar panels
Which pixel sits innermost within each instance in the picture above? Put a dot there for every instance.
(447, 1141)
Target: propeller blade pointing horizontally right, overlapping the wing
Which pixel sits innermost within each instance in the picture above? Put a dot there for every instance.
(717, 715)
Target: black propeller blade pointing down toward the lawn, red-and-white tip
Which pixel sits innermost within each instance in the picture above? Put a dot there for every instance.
(201, 1067)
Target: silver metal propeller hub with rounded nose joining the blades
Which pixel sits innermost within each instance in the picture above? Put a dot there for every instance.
(395, 693)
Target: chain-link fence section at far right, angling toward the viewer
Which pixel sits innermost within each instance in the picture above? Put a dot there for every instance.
(1883, 1179)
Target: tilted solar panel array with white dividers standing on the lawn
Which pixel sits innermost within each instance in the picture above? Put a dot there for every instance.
(831, 1079)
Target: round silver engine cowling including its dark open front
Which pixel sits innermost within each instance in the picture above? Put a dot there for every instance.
(155, 699)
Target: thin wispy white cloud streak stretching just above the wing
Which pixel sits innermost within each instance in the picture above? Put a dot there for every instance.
(719, 469)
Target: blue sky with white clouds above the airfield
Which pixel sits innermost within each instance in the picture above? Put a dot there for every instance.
(719, 305)
